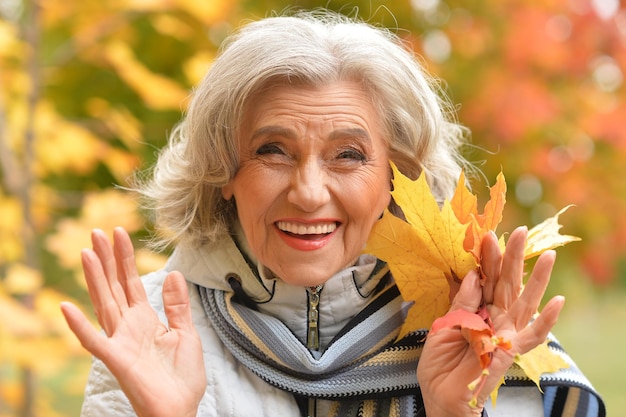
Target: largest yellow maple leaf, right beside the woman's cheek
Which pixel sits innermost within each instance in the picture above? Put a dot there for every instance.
(428, 245)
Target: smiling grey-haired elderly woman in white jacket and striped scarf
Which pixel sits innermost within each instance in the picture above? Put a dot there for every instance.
(269, 189)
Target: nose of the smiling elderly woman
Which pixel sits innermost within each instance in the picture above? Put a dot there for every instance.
(309, 186)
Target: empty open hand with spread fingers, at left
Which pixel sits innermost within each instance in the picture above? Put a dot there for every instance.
(160, 369)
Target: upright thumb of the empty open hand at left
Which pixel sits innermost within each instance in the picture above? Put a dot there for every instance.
(176, 302)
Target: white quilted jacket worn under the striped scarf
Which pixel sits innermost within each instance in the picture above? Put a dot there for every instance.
(232, 390)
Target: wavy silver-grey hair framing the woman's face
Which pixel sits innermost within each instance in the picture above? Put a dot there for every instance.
(312, 48)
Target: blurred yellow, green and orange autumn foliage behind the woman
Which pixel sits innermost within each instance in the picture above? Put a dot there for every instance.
(90, 89)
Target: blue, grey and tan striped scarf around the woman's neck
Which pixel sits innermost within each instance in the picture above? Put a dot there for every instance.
(364, 371)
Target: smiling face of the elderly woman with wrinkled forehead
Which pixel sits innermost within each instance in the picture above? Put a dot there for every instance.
(313, 178)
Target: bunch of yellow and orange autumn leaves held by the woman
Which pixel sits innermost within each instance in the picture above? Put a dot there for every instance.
(435, 247)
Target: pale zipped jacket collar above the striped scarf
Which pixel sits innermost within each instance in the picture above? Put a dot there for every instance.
(341, 298)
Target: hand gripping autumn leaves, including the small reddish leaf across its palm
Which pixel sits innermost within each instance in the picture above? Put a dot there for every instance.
(474, 344)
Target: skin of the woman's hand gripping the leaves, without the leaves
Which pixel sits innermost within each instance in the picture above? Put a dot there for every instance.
(448, 363)
